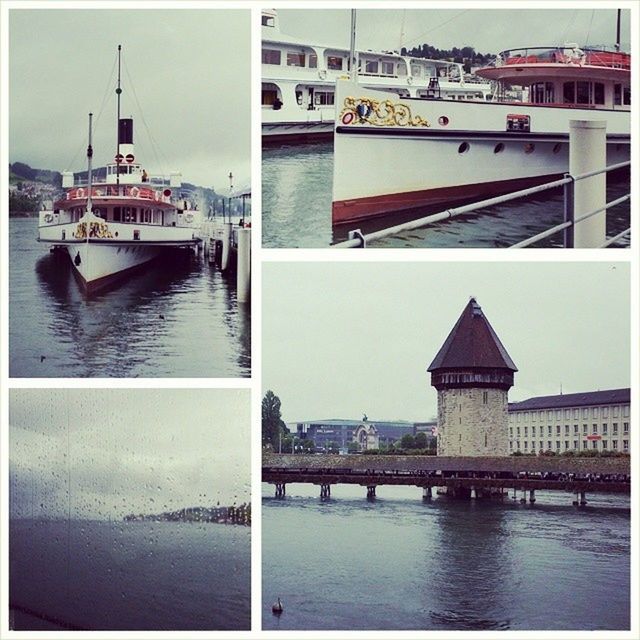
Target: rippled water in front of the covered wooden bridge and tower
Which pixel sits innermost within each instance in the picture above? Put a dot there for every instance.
(399, 563)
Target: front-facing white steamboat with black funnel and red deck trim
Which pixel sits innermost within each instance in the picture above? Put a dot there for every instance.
(120, 221)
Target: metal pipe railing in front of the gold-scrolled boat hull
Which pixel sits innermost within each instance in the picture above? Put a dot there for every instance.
(359, 240)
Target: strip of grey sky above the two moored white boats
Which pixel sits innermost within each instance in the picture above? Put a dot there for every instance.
(487, 30)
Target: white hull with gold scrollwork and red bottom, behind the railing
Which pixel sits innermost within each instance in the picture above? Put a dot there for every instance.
(427, 152)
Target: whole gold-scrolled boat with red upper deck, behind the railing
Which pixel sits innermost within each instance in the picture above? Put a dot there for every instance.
(423, 152)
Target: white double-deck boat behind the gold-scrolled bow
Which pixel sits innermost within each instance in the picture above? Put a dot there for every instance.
(298, 81)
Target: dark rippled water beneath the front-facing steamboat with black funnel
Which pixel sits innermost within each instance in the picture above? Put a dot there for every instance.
(204, 333)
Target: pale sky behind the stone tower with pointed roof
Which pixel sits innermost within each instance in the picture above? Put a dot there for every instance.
(343, 339)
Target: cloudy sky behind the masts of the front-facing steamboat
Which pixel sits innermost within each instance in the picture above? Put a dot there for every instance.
(191, 76)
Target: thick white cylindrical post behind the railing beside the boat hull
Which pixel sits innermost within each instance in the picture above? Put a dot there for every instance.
(588, 152)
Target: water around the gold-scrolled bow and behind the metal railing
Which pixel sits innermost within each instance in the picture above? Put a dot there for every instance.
(296, 210)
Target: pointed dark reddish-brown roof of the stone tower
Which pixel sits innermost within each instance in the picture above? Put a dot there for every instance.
(472, 343)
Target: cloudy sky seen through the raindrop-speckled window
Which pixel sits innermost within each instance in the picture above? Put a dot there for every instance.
(124, 451)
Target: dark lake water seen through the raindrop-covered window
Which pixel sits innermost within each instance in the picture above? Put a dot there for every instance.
(129, 576)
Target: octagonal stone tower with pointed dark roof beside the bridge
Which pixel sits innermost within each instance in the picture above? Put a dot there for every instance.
(472, 373)
